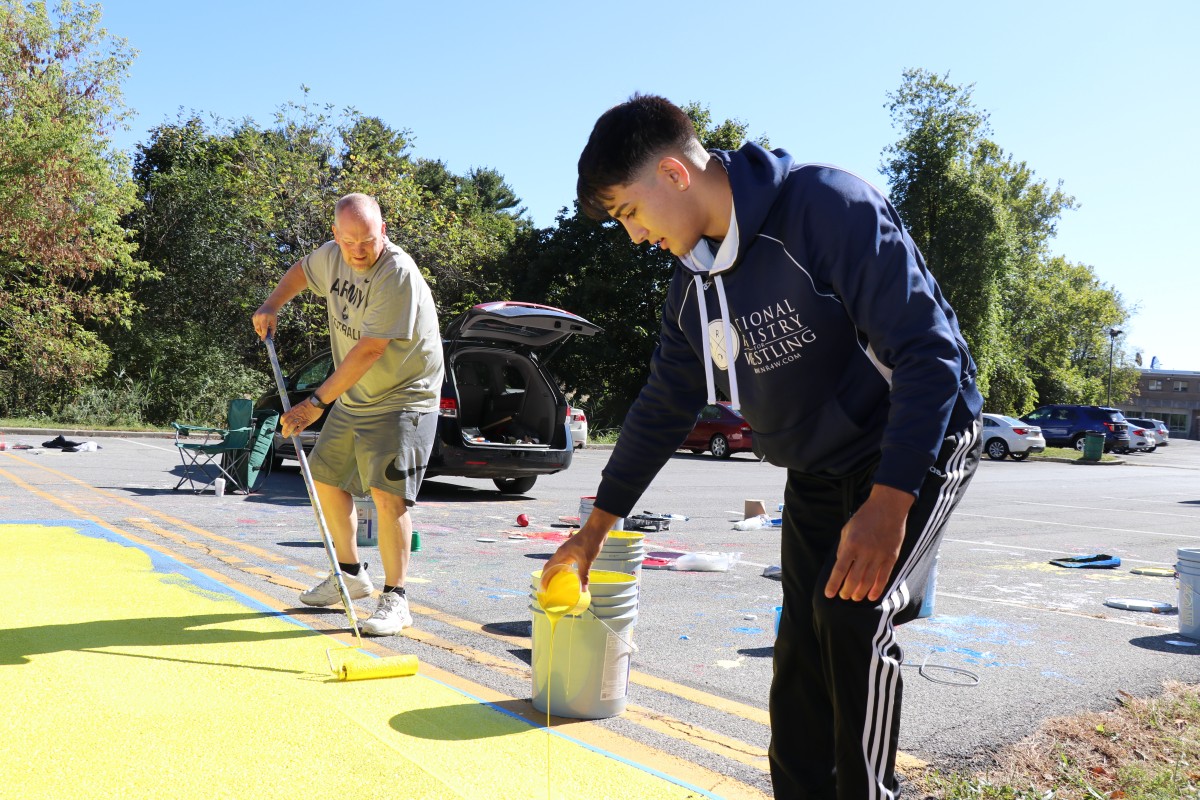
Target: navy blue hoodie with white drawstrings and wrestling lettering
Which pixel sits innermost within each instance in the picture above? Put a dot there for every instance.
(845, 351)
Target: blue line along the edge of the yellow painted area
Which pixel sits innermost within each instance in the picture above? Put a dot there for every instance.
(170, 566)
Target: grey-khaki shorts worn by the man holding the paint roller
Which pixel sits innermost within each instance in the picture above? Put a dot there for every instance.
(386, 452)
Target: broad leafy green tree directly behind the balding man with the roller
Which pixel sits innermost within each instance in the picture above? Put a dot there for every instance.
(230, 208)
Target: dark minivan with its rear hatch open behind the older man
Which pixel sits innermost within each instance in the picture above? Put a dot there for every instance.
(502, 416)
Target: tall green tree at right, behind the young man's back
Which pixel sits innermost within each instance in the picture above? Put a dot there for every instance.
(985, 225)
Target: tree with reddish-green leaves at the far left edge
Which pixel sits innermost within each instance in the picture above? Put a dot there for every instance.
(67, 264)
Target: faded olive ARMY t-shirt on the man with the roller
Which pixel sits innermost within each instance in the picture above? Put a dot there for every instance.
(392, 302)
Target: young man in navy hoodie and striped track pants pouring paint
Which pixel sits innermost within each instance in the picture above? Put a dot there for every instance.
(800, 294)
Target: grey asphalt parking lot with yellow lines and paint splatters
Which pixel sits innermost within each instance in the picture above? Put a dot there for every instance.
(1013, 640)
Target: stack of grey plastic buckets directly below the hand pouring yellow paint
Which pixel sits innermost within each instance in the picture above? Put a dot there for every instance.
(592, 652)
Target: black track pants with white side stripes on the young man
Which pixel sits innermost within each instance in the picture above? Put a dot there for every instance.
(836, 695)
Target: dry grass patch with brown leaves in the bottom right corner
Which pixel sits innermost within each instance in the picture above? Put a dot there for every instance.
(1147, 749)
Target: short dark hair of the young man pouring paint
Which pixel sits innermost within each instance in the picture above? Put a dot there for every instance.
(625, 140)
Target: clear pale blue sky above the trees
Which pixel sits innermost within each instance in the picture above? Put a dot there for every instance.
(1095, 94)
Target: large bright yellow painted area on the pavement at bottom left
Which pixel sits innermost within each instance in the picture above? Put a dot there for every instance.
(136, 677)
